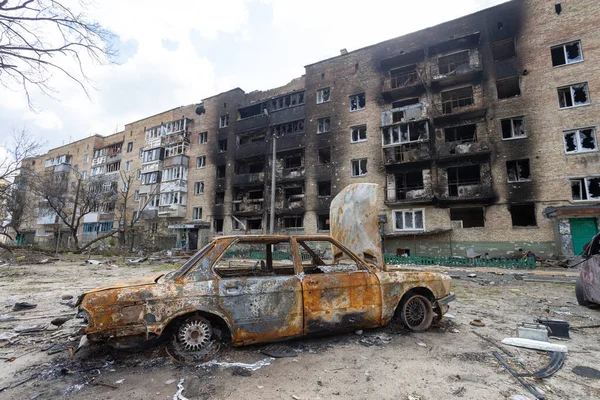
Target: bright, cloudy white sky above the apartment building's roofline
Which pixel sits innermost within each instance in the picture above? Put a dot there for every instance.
(179, 52)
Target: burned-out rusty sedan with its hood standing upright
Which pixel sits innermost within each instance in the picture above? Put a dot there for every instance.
(252, 289)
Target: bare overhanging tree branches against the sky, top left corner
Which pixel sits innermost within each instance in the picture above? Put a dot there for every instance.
(41, 37)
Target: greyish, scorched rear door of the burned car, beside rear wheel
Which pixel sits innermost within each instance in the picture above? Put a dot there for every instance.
(259, 290)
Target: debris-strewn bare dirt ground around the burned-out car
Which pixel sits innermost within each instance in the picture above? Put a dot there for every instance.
(446, 362)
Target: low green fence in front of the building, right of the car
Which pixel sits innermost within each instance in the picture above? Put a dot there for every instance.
(512, 263)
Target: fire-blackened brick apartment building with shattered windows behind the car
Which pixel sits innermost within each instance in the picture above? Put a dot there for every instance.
(481, 133)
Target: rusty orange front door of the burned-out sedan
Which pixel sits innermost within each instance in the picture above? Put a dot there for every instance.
(339, 291)
